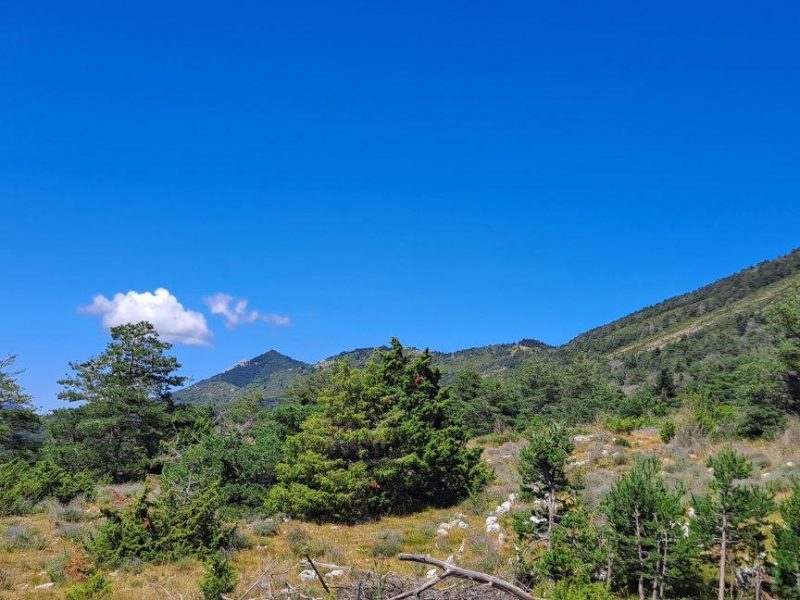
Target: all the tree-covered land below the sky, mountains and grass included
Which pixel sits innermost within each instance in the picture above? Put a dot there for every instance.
(657, 457)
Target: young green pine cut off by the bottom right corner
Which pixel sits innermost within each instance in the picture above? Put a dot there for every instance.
(787, 547)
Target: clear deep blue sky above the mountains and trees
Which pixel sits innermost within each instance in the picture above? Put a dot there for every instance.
(455, 174)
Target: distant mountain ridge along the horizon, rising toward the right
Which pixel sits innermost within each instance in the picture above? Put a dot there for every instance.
(725, 312)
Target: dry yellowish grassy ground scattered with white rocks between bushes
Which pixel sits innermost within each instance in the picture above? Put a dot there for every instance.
(46, 547)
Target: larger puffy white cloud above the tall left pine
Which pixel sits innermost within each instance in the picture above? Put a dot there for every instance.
(173, 322)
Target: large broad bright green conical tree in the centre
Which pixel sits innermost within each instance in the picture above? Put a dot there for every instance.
(382, 441)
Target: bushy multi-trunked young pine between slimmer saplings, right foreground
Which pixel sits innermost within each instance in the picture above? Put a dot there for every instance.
(642, 514)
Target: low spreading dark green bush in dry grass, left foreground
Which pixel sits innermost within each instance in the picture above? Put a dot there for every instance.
(174, 525)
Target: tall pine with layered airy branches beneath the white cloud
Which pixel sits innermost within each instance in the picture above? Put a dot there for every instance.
(127, 401)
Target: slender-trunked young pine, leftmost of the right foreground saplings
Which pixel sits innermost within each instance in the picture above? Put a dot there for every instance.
(542, 469)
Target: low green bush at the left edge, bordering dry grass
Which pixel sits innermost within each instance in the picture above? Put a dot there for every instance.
(22, 486)
